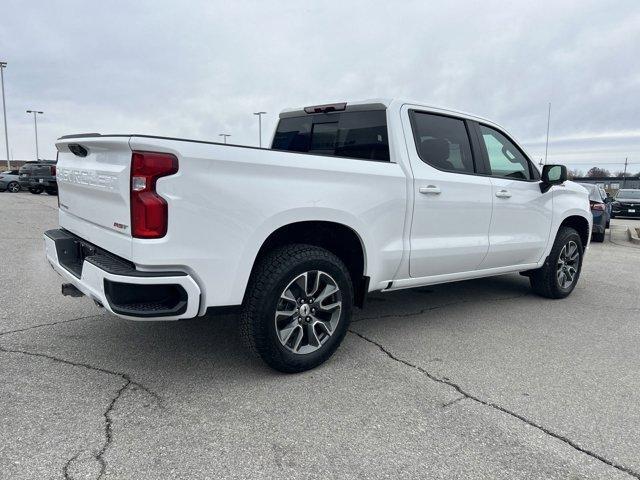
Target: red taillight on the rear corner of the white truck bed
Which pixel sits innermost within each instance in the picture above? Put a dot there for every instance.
(149, 211)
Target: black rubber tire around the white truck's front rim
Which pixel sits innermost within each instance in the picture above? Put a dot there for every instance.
(544, 281)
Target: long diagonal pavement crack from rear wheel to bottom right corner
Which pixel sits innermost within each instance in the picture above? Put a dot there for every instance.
(495, 406)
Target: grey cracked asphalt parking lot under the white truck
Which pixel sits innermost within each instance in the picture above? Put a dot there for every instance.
(478, 379)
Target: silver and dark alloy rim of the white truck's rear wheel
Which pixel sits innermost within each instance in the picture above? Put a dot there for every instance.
(308, 312)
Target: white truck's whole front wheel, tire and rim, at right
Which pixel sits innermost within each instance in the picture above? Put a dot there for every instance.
(559, 275)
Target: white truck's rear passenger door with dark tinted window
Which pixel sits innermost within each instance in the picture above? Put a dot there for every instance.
(452, 203)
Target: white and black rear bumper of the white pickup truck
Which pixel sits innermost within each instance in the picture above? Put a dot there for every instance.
(124, 290)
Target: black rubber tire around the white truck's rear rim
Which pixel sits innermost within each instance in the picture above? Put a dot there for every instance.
(269, 280)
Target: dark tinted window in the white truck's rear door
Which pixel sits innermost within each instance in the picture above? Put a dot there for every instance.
(442, 142)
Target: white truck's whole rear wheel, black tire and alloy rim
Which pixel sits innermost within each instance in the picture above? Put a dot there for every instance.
(297, 308)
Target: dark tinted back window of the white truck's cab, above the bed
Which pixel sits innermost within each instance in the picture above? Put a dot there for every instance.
(360, 135)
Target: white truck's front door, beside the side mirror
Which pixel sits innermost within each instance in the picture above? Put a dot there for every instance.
(522, 214)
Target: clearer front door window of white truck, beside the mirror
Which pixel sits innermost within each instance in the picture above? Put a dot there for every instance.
(505, 159)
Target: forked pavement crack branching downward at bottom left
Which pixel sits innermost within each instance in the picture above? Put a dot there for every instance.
(108, 421)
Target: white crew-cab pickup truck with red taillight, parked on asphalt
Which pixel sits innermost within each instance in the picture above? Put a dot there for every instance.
(350, 198)
